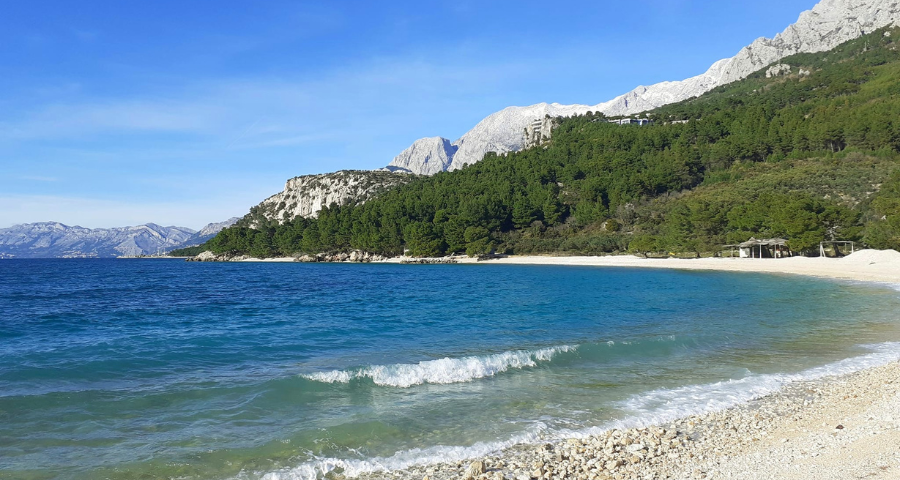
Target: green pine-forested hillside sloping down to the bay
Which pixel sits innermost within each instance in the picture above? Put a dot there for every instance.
(809, 155)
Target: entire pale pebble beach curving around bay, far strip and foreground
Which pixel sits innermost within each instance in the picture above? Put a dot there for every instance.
(833, 427)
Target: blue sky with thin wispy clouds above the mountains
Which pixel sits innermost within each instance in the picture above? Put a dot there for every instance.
(184, 113)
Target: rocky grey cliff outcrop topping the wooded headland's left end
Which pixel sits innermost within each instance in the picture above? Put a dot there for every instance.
(306, 195)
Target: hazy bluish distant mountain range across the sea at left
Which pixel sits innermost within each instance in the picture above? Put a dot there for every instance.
(56, 240)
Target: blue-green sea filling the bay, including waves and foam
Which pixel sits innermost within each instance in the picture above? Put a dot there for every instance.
(132, 369)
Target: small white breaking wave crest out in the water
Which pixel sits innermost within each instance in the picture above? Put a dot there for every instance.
(442, 371)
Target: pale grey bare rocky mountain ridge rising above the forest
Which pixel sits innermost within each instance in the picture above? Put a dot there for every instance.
(827, 25)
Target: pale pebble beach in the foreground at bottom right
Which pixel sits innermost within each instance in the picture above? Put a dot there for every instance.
(837, 428)
